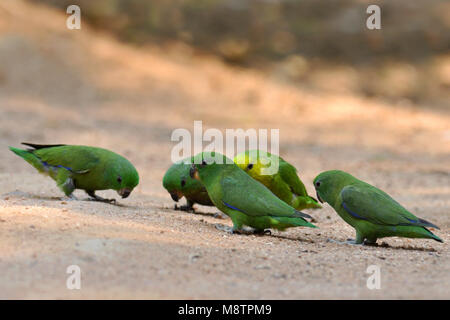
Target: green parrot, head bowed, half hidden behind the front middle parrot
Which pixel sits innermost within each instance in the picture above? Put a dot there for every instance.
(178, 183)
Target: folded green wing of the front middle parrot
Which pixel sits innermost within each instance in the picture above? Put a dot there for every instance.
(242, 193)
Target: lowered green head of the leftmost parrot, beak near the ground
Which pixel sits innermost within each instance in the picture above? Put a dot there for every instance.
(122, 177)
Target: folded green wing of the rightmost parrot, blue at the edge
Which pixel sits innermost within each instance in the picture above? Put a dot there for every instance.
(371, 204)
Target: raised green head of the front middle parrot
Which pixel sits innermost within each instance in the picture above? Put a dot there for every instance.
(208, 164)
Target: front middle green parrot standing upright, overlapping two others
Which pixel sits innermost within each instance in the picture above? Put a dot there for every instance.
(243, 199)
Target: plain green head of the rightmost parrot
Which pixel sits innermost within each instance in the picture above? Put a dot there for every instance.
(329, 184)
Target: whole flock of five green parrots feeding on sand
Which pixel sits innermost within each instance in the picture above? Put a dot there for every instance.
(241, 188)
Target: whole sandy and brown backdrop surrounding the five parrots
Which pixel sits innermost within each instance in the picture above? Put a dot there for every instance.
(375, 103)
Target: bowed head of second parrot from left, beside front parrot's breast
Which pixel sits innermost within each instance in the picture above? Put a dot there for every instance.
(177, 180)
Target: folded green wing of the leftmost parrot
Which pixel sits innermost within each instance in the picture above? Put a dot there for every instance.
(79, 160)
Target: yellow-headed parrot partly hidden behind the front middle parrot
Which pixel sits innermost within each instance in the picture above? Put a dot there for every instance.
(284, 183)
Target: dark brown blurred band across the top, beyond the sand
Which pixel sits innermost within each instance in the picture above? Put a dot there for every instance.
(318, 44)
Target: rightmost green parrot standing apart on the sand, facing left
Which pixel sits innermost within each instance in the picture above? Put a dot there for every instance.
(372, 212)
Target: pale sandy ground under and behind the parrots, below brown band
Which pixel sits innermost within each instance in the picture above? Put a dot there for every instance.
(81, 87)
